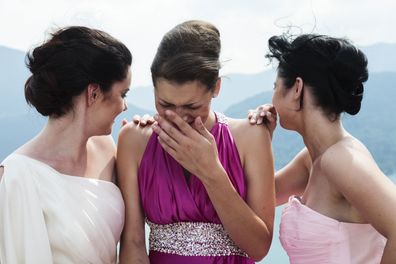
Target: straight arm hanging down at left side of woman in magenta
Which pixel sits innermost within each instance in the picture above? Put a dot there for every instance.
(129, 151)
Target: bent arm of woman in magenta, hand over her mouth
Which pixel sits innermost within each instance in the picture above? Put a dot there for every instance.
(249, 224)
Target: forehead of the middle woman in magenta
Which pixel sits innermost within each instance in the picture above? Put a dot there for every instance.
(176, 93)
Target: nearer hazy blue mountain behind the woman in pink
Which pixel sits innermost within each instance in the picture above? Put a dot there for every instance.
(375, 124)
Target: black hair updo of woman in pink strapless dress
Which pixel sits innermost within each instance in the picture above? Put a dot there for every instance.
(333, 67)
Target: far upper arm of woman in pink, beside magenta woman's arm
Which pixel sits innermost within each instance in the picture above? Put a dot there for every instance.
(293, 178)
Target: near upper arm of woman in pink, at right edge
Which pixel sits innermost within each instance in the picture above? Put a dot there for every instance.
(357, 177)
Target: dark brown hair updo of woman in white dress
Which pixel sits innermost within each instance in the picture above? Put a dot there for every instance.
(68, 62)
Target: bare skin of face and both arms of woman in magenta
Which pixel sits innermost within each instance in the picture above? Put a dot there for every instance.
(183, 123)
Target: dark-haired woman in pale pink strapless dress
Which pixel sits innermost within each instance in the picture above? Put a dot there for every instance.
(341, 207)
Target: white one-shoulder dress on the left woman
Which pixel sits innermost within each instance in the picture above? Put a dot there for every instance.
(49, 217)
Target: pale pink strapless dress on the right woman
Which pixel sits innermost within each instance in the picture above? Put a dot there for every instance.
(311, 238)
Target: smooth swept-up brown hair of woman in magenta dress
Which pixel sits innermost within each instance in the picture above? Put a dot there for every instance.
(189, 52)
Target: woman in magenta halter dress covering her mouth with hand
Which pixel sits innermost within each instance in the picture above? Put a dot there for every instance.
(206, 192)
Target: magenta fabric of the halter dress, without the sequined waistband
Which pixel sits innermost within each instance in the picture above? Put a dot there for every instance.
(168, 198)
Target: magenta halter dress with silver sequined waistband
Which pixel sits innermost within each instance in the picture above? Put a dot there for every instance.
(184, 226)
